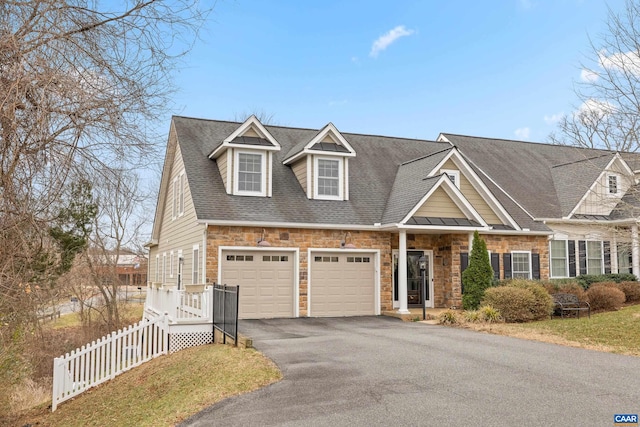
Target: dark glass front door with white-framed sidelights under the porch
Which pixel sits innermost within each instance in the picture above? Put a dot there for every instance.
(414, 278)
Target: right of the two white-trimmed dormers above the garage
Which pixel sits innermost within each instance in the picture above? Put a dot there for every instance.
(322, 165)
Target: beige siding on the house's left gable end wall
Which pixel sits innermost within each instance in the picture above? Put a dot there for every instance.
(179, 233)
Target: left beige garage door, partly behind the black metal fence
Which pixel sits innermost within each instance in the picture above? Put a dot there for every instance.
(265, 279)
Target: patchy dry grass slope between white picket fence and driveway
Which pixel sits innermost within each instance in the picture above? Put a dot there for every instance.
(162, 392)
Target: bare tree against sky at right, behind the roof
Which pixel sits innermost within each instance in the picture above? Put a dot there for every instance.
(608, 114)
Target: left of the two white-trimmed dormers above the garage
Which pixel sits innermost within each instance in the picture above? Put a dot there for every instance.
(245, 160)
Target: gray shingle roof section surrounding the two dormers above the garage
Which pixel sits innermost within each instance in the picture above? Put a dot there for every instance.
(371, 176)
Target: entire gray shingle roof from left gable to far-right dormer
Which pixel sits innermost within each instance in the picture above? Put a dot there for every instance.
(388, 176)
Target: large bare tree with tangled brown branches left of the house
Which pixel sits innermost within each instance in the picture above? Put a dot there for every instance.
(81, 85)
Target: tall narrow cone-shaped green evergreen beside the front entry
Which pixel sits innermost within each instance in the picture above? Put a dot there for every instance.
(478, 276)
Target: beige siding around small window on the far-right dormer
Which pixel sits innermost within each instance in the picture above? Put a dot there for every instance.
(598, 200)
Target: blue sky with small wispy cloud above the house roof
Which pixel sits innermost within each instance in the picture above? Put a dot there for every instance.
(500, 68)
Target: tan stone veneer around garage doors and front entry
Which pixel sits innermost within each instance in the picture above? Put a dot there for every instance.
(446, 254)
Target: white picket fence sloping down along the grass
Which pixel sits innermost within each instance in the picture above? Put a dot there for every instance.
(108, 357)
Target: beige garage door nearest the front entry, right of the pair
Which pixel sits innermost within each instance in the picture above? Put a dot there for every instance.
(342, 284)
